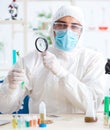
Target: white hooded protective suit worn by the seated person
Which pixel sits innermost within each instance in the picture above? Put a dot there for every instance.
(65, 88)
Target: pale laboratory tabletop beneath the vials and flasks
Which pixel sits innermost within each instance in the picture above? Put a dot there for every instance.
(61, 122)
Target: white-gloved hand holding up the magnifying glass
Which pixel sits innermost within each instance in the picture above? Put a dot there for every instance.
(51, 62)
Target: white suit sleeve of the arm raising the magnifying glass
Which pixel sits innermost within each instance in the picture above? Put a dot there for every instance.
(92, 83)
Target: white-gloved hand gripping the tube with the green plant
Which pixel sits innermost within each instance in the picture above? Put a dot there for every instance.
(16, 77)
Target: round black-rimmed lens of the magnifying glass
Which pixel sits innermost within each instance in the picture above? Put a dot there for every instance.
(41, 44)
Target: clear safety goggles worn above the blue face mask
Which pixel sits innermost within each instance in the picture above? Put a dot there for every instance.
(73, 26)
